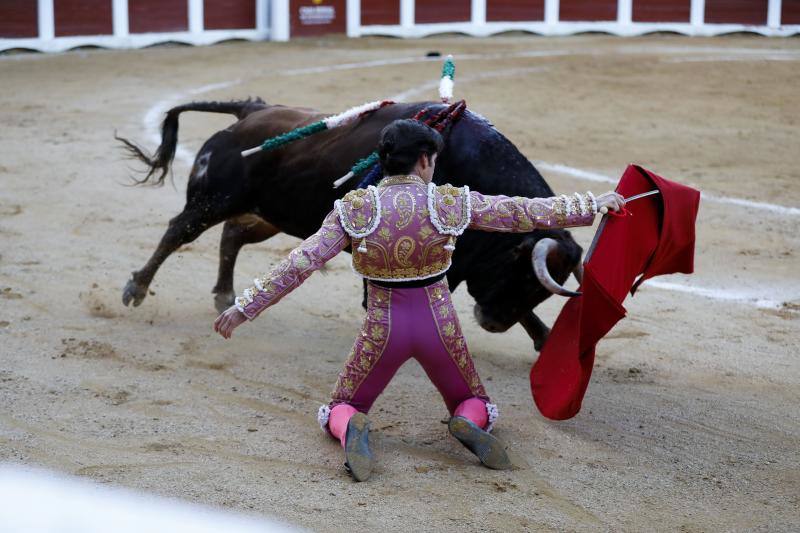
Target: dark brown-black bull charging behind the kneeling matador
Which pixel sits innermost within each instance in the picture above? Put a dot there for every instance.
(290, 190)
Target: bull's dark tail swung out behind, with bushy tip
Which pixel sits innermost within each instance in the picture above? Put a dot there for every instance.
(158, 164)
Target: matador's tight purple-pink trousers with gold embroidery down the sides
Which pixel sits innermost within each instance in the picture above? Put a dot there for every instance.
(402, 323)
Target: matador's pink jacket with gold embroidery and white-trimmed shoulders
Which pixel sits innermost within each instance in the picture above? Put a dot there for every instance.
(404, 229)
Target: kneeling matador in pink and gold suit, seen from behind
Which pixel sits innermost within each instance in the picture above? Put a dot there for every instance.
(403, 233)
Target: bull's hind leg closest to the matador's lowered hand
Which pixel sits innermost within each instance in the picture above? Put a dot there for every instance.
(238, 231)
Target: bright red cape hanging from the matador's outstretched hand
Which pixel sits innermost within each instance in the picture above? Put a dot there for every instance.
(656, 237)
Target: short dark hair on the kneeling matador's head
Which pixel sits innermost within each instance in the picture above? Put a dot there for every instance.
(403, 141)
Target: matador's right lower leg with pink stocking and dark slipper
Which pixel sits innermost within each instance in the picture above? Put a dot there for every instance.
(467, 424)
